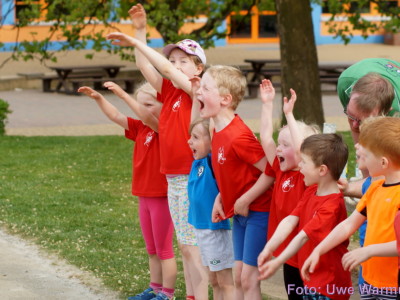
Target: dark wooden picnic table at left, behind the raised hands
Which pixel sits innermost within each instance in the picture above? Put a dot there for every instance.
(70, 77)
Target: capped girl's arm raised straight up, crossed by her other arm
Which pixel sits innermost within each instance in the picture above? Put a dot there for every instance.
(139, 22)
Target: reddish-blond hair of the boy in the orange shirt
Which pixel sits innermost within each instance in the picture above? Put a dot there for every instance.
(380, 135)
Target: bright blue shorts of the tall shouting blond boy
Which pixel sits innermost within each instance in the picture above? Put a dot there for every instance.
(249, 236)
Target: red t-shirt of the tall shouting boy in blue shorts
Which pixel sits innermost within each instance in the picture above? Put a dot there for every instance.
(235, 150)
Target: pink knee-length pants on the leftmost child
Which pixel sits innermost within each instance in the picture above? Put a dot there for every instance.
(157, 226)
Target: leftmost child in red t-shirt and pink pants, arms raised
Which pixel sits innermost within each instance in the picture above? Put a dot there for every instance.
(147, 182)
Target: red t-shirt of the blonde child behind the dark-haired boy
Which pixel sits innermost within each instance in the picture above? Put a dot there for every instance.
(288, 190)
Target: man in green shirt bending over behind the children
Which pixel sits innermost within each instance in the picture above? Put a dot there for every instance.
(369, 87)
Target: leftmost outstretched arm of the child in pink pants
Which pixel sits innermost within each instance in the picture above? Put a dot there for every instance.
(108, 109)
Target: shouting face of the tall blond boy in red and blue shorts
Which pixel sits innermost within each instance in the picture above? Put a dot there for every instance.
(209, 97)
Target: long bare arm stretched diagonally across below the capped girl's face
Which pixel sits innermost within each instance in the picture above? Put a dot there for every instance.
(163, 65)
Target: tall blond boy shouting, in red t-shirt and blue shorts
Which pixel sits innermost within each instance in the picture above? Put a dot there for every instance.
(238, 162)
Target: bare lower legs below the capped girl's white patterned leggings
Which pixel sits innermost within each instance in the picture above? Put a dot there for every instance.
(198, 276)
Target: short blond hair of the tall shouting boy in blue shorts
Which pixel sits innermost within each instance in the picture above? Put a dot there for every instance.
(229, 81)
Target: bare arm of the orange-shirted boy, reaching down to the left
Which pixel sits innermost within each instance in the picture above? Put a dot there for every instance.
(340, 233)
